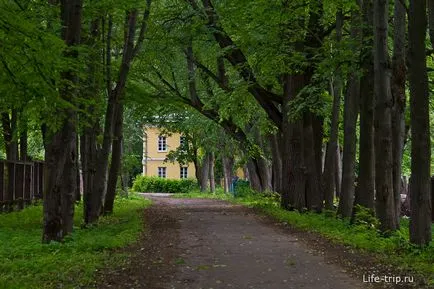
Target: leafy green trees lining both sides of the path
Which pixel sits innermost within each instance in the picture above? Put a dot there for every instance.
(317, 100)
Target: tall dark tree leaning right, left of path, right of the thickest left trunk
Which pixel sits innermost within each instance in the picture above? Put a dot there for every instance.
(131, 48)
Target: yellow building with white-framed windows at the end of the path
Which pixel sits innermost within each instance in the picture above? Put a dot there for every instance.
(155, 149)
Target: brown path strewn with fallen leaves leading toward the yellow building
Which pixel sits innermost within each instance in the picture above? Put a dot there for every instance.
(209, 244)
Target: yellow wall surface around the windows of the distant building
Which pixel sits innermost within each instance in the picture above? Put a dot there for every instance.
(152, 158)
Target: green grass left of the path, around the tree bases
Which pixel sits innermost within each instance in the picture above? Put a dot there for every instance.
(26, 263)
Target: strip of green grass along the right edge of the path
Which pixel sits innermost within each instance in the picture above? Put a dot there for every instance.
(395, 250)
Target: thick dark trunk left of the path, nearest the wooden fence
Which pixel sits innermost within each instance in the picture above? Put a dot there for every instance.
(60, 178)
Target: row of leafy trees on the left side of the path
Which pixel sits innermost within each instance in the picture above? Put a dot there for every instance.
(64, 61)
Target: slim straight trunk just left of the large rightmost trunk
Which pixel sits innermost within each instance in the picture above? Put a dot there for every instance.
(398, 97)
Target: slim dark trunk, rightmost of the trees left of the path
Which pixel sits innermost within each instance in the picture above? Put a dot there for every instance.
(116, 160)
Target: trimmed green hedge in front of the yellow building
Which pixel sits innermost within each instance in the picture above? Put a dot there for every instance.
(162, 185)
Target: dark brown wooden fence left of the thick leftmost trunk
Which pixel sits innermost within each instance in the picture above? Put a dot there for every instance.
(20, 184)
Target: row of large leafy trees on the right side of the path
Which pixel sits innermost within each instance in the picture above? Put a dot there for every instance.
(276, 76)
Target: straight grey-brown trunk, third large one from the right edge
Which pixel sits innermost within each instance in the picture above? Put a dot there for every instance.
(385, 204)
